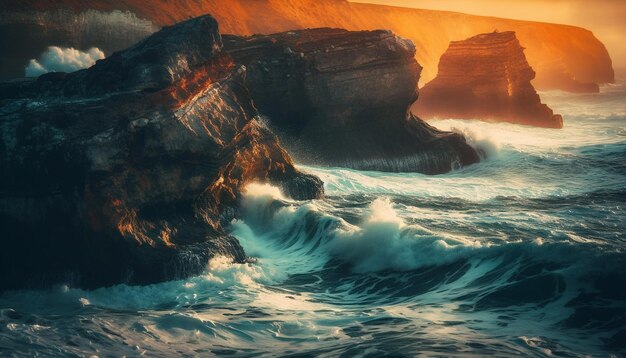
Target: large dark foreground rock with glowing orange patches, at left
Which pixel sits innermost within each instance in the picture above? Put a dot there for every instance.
(126, 171)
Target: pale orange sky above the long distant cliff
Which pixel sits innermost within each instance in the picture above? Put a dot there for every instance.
(606, 18)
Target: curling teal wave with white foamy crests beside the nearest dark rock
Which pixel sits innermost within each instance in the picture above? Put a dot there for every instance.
(301, 234)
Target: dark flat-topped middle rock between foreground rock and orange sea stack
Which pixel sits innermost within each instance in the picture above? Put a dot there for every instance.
(342, 98)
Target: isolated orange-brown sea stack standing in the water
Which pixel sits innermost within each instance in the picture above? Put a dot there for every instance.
(486, 77)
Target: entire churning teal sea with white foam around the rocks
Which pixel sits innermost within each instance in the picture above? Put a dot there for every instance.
(523, 254)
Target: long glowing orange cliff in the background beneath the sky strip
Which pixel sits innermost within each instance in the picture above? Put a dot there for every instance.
(564, 57)
